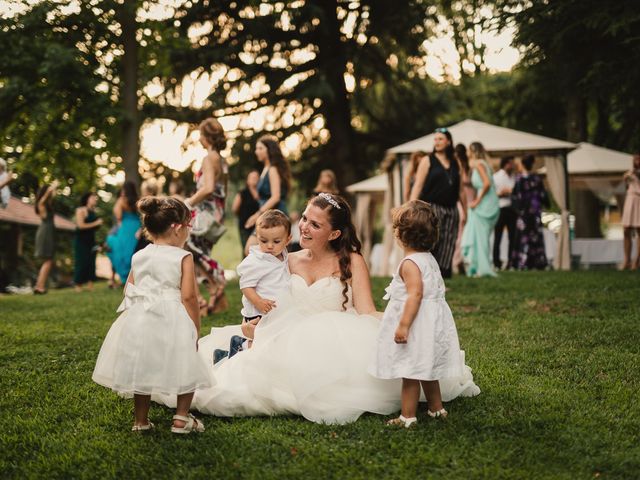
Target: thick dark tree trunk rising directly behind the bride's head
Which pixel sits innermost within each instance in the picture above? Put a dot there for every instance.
(341, 156)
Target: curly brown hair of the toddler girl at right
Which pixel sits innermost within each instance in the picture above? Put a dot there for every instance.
(416, 225)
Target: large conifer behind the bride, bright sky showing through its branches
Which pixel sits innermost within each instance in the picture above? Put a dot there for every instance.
(292, 61)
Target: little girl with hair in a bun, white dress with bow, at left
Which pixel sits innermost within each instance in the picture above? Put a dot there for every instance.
(152, 347)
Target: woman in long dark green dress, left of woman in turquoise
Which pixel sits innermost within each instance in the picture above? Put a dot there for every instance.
(87, 222)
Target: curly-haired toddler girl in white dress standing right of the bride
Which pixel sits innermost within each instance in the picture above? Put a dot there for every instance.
(418, 340)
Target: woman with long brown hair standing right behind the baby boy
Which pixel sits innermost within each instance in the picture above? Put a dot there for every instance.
(274, 183)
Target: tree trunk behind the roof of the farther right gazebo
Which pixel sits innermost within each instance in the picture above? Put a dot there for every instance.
(584, 204)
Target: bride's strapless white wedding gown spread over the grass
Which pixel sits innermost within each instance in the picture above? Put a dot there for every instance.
(309, 358)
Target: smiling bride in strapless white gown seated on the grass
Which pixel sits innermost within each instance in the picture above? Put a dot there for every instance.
(310, 354)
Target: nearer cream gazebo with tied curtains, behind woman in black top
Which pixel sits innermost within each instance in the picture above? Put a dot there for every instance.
(498, 141)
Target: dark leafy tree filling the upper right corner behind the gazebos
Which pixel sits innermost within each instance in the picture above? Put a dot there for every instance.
(588, 56)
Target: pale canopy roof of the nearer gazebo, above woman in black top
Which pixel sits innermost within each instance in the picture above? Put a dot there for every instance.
(496, 140)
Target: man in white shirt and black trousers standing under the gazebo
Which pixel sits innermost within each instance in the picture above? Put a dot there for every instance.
(504, 180)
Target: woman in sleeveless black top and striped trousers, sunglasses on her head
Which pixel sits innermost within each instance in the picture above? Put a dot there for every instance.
(438, 183)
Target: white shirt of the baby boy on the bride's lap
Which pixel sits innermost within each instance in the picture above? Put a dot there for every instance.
(264, 272)
